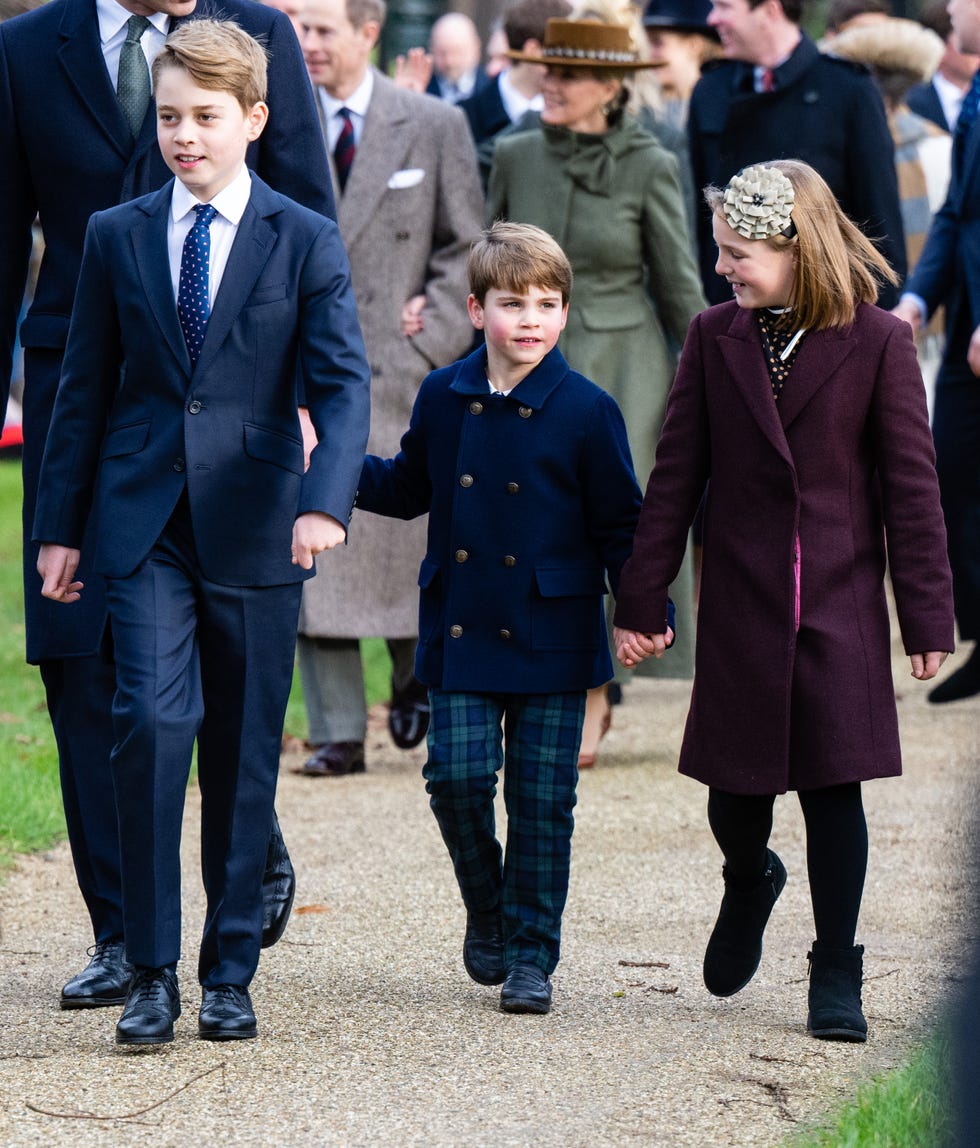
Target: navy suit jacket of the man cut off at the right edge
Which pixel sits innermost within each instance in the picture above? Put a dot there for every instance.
(948, 270)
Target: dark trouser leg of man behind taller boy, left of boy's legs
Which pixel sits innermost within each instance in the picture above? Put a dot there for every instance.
(80, 699)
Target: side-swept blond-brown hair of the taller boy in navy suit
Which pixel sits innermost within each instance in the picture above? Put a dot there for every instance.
(220, 57)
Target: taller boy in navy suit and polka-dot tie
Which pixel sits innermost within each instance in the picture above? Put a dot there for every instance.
(176, 443)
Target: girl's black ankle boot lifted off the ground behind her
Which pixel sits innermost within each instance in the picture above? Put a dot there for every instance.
(735, 948)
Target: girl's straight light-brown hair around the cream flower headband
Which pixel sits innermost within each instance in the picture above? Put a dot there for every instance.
(837, 267)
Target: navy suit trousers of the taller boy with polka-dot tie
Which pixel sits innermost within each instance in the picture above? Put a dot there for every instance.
(198, 661)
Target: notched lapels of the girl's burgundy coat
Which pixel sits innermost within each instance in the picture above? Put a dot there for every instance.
(821, 354)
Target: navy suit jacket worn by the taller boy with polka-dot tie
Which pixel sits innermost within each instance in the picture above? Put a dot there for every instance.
(134, 415)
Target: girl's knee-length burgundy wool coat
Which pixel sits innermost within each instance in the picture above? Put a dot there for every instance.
(794, 681)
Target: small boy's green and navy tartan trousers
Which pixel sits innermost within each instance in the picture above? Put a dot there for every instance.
(535, 739)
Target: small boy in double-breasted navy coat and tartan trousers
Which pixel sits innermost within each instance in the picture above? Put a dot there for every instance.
(525, 470)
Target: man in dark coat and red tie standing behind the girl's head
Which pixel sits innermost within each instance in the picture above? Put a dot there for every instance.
(777, 97)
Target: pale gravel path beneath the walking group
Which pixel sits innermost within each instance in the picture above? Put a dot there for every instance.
(370, 1033)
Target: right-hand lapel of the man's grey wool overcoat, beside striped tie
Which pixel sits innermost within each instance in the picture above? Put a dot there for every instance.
(386, 141)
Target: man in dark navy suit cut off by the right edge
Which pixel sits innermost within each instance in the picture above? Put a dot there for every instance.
(948, 273)
